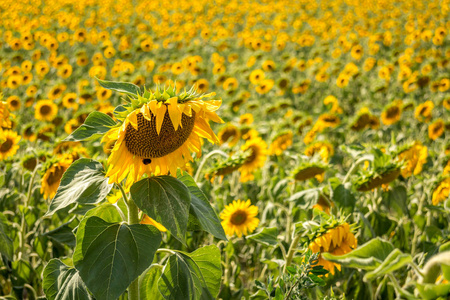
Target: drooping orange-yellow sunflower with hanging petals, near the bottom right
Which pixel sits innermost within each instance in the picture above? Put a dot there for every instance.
(337, 241)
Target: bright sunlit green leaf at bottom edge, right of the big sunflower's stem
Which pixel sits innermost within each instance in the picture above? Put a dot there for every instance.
(192, 276)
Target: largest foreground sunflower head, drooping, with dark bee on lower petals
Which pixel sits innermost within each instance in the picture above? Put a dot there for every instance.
(157, 132)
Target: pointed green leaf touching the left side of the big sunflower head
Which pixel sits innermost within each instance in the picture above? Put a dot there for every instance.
(95, 125)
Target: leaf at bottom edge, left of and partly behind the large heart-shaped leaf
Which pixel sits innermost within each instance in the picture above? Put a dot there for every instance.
(63, 282)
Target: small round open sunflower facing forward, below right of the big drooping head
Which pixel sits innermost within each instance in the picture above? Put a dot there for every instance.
(239, 218)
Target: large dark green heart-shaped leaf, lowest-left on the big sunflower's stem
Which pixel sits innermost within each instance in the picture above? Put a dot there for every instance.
(109, 256)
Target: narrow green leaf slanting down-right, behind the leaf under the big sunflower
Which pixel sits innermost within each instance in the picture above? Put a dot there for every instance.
(201, 208)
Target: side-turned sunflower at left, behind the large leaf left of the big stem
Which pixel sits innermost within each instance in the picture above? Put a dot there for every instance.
(53, 174)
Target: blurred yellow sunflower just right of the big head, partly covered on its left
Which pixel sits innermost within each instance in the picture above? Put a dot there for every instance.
(257, 150)
